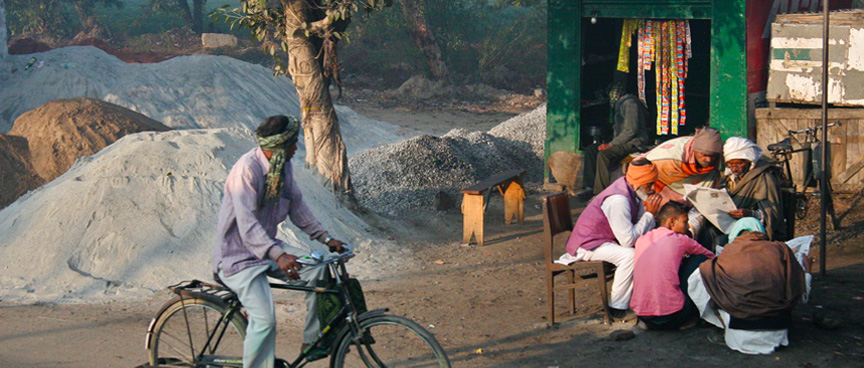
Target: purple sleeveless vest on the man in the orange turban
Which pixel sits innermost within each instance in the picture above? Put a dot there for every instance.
(592, 227)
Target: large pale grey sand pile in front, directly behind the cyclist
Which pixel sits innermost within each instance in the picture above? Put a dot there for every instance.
(141, 215)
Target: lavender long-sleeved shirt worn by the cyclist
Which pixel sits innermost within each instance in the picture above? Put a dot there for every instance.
(247, 234)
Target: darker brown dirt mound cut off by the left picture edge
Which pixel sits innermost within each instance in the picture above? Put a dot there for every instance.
(17, 175)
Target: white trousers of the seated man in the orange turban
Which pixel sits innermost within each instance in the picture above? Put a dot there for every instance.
(622, 258)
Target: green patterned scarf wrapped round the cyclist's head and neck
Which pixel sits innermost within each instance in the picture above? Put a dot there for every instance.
(278, 144)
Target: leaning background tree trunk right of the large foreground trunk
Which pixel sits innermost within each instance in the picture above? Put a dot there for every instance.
(423, 37)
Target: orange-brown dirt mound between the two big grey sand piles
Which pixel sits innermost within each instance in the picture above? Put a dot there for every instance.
(61, 131)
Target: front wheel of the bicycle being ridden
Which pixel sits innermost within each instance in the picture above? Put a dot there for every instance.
(389, 341)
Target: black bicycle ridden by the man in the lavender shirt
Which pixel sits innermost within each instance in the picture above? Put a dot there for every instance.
(204, 326)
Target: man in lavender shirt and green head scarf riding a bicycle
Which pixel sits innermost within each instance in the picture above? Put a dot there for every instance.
(260, 193)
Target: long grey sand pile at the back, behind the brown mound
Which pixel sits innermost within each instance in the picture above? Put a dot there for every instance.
(196, 91)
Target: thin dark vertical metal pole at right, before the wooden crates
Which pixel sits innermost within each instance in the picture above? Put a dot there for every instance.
(823, 169)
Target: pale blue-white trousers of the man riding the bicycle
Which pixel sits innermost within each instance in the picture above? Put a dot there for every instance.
(253, 290)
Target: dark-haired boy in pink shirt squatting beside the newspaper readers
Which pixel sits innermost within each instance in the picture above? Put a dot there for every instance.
(660, 272)
